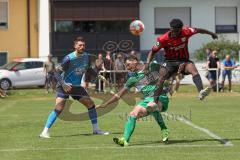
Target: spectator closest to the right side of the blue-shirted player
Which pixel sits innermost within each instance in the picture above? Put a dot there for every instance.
(99, 66)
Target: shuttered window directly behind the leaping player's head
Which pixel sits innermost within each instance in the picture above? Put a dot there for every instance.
(163, 15)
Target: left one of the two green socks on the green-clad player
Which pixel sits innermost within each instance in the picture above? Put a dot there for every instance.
(129, 127)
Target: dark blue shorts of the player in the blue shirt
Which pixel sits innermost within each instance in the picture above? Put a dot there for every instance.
(76, 93)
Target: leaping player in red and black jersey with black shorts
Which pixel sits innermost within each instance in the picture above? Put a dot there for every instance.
(175, 44)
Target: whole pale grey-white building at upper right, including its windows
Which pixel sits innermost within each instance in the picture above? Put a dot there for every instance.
(221, 16)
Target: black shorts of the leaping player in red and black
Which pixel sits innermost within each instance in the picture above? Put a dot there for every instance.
(173, 66)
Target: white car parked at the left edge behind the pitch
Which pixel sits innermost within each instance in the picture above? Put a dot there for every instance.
(24, 72)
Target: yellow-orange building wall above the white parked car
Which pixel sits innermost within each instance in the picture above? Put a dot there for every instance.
(14, 38)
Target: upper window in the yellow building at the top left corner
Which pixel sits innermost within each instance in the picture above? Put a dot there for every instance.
(3, 13)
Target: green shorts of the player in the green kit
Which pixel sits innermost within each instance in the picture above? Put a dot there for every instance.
(163, 99)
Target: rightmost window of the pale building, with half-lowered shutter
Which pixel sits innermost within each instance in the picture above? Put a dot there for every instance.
(226, 19)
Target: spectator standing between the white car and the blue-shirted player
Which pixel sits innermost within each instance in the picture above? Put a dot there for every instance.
(49, 68)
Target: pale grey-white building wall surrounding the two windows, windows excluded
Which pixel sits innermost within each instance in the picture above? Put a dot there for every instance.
(202, 16)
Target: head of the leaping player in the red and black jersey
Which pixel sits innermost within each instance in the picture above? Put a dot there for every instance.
(176, 27)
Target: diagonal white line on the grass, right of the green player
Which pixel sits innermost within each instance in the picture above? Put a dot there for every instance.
(208, 132)
